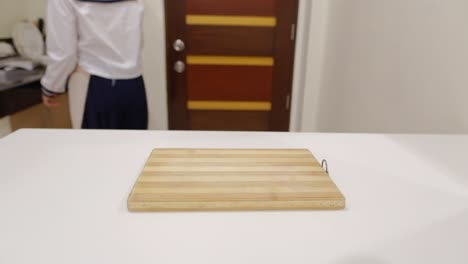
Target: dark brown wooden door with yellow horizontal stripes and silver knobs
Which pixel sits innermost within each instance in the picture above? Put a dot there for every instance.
(230, 63)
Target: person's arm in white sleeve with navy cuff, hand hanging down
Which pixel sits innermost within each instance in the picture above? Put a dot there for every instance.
(62, 42)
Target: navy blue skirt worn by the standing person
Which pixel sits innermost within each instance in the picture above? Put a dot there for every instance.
(116, 104)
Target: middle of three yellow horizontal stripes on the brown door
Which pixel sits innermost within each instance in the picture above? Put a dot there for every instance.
(230, 60)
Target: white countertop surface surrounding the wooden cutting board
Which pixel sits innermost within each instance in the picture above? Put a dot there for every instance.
(63, 200)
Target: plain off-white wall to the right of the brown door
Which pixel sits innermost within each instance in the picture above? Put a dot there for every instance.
(390, 66)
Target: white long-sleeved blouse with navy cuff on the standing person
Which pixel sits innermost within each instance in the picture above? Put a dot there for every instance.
(104, 39)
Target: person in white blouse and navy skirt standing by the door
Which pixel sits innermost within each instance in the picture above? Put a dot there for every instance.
(94, 47)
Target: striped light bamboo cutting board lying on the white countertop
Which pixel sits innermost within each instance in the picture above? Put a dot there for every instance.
(233, 179)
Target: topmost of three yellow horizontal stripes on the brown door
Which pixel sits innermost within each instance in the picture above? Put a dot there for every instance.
(215, 20)
